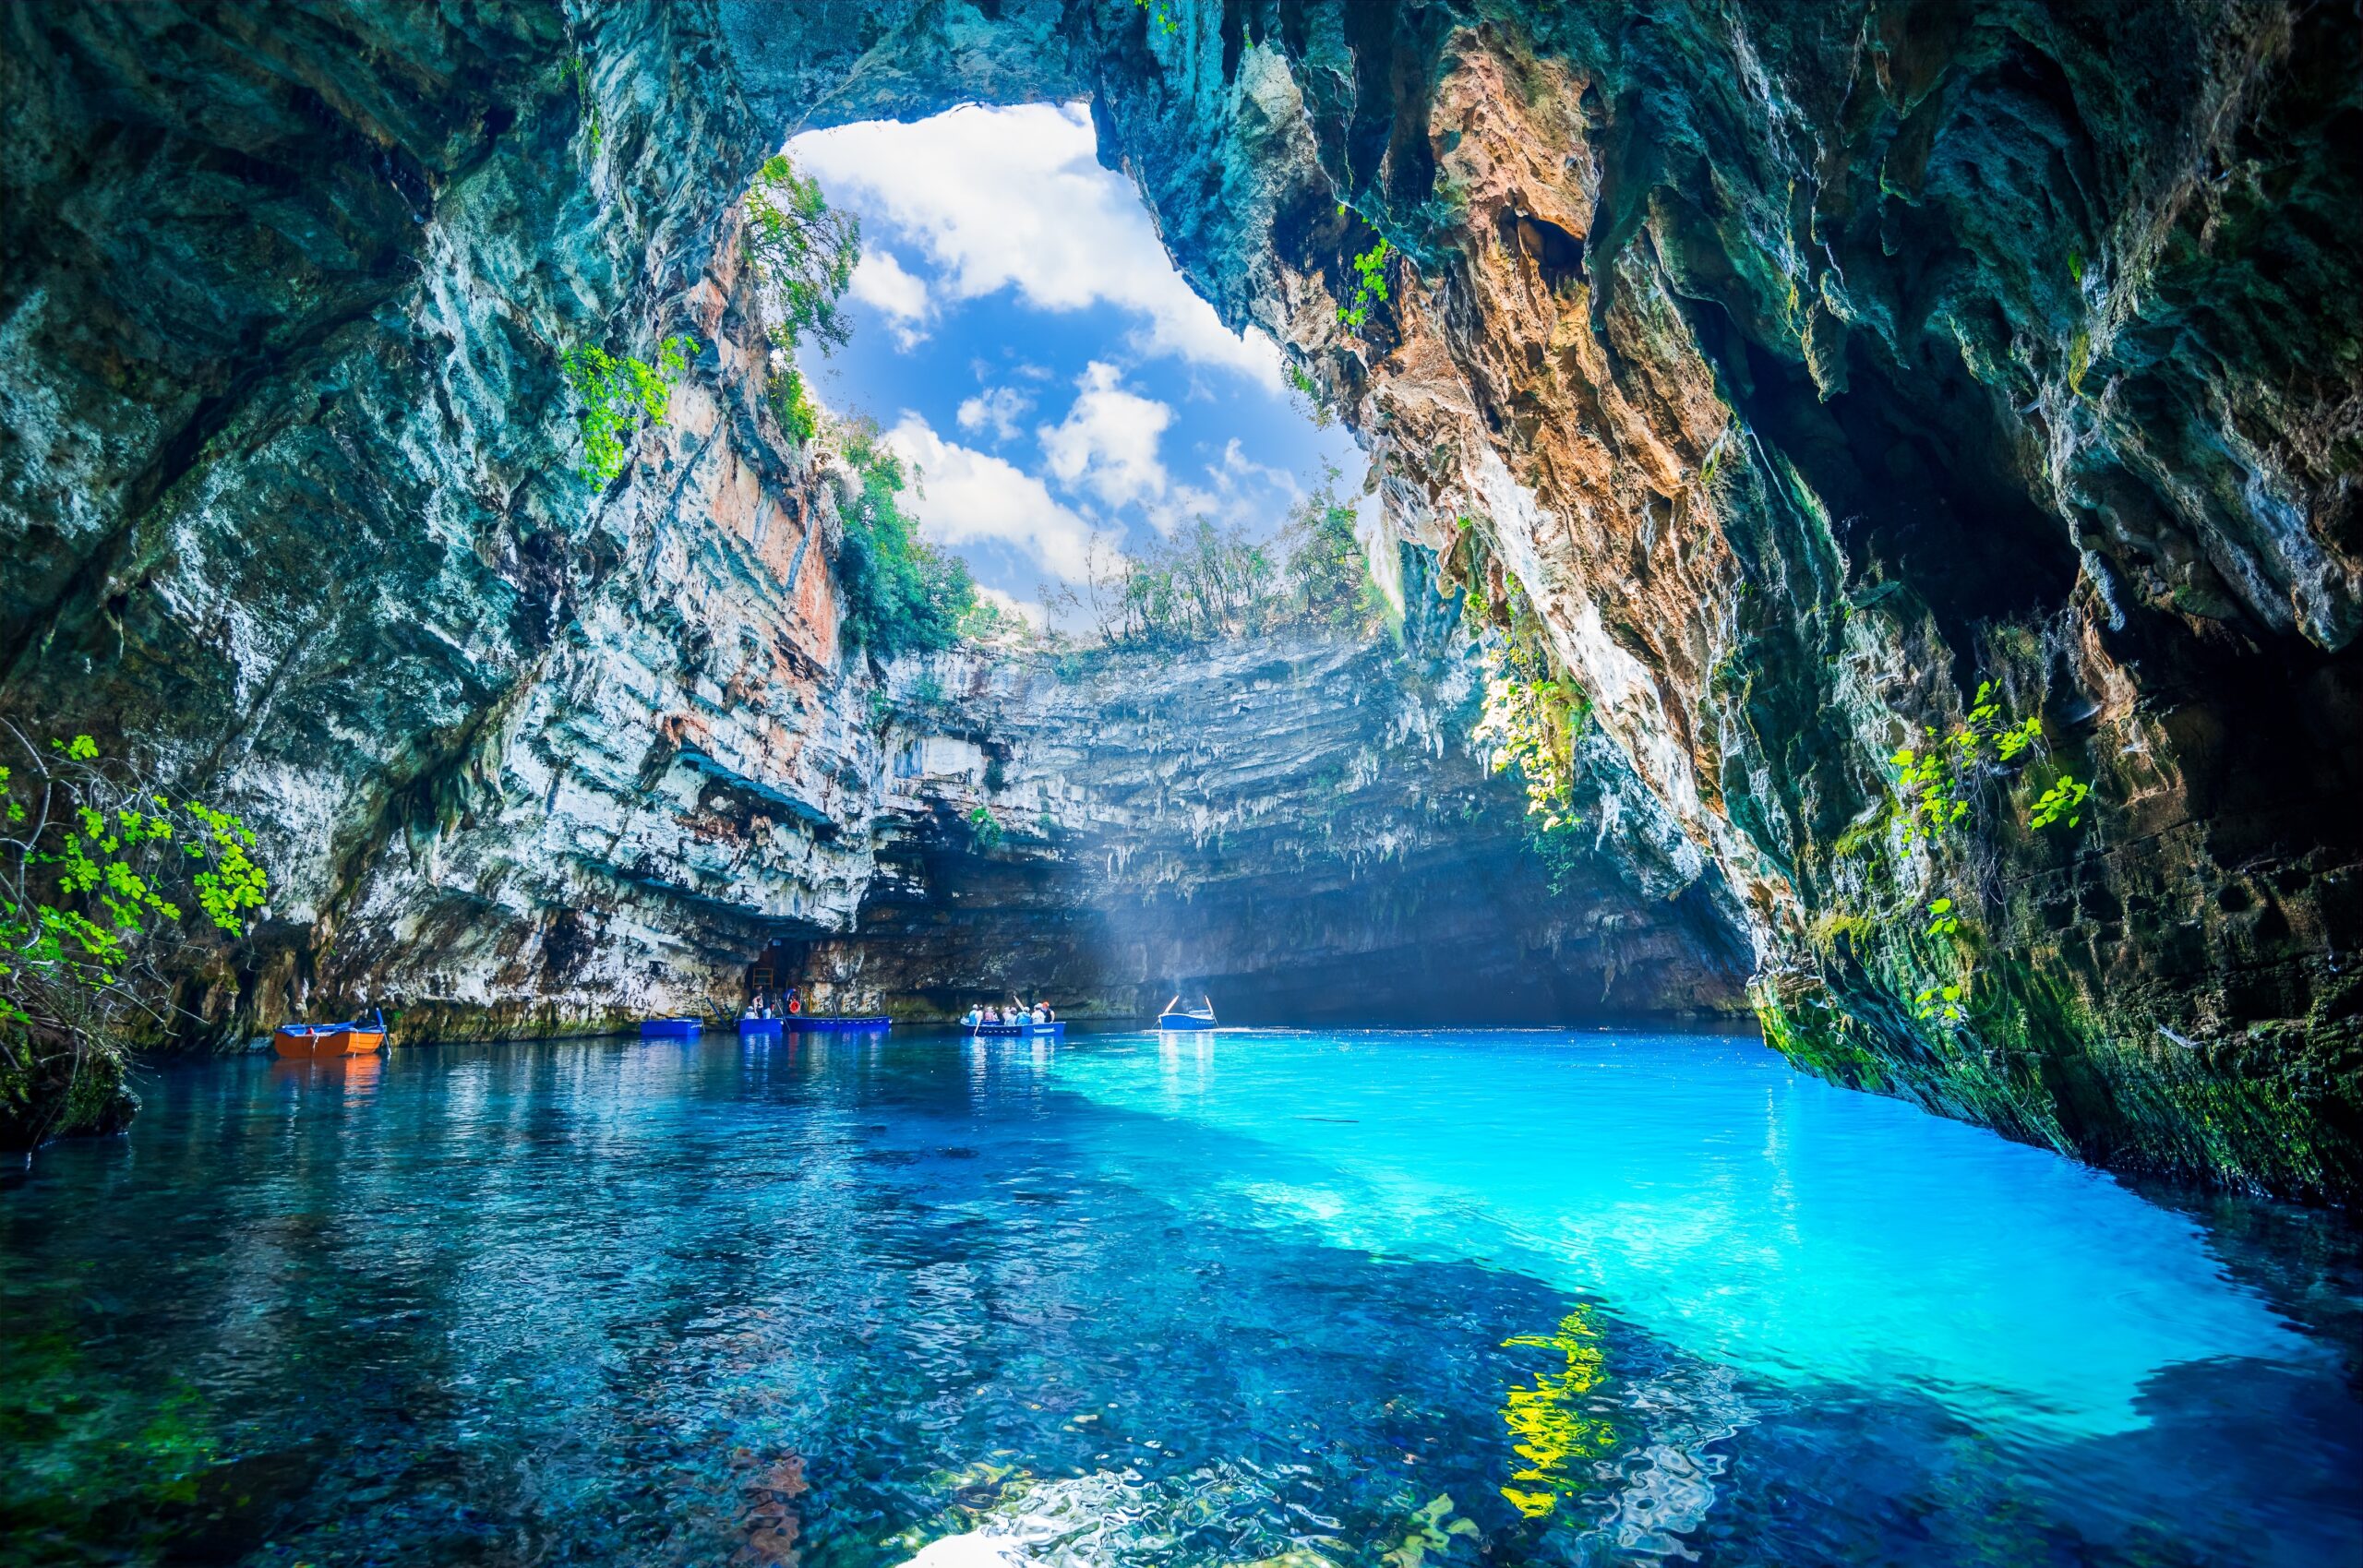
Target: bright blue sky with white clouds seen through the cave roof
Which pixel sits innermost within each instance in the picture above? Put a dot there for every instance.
(1027, 344)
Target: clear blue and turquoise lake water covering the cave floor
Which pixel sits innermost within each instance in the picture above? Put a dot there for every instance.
(1393, 1300)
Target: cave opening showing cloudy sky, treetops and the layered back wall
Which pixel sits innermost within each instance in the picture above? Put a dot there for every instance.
(1176, 535)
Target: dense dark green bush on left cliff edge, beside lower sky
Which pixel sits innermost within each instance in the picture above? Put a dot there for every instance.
(901, 594)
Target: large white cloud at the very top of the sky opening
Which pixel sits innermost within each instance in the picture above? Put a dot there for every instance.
(1017, 200)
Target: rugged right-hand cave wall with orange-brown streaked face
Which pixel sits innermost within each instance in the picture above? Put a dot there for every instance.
(1809, 367)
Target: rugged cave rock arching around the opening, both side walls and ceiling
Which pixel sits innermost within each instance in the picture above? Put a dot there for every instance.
(1807, 365)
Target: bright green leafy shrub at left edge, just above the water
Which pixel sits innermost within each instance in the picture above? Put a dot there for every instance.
(103, 877)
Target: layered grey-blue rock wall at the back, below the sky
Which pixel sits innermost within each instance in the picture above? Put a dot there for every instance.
(1296, 825)
